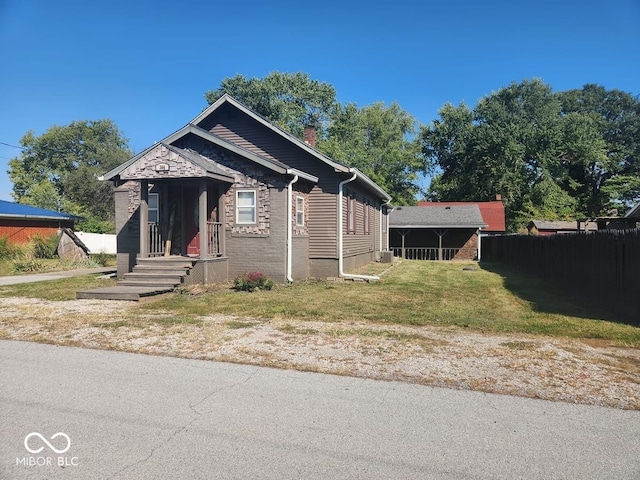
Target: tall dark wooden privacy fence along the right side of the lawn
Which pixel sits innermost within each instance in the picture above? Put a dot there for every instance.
(602, 267)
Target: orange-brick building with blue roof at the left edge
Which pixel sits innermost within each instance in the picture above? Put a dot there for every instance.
(20, 223)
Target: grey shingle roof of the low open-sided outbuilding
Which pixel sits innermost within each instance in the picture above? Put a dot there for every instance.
(446, 216)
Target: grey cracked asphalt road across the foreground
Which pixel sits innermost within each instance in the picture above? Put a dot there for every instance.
(126, 416)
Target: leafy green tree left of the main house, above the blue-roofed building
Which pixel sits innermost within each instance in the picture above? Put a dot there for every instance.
(59, 170)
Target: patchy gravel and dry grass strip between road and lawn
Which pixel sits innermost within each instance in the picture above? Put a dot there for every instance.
(540, 367)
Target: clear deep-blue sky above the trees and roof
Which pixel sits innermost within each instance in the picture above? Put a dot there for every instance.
(146, 64)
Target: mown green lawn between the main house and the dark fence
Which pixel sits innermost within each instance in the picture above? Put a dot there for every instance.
(420, 293)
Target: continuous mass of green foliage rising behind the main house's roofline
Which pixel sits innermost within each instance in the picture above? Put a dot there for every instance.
(376, 139)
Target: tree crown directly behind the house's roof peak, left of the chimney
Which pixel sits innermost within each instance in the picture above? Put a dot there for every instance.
(290, 100)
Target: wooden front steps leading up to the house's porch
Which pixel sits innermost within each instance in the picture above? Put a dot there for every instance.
(150, 276)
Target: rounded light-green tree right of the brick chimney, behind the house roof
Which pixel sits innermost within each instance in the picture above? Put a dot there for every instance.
(378, 141)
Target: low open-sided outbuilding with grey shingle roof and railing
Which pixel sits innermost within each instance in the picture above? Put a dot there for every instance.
(436, 232)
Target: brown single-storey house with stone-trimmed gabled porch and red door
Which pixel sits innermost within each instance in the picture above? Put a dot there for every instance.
(234, 193)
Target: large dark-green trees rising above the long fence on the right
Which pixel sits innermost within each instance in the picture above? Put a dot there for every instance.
(553, 155)
